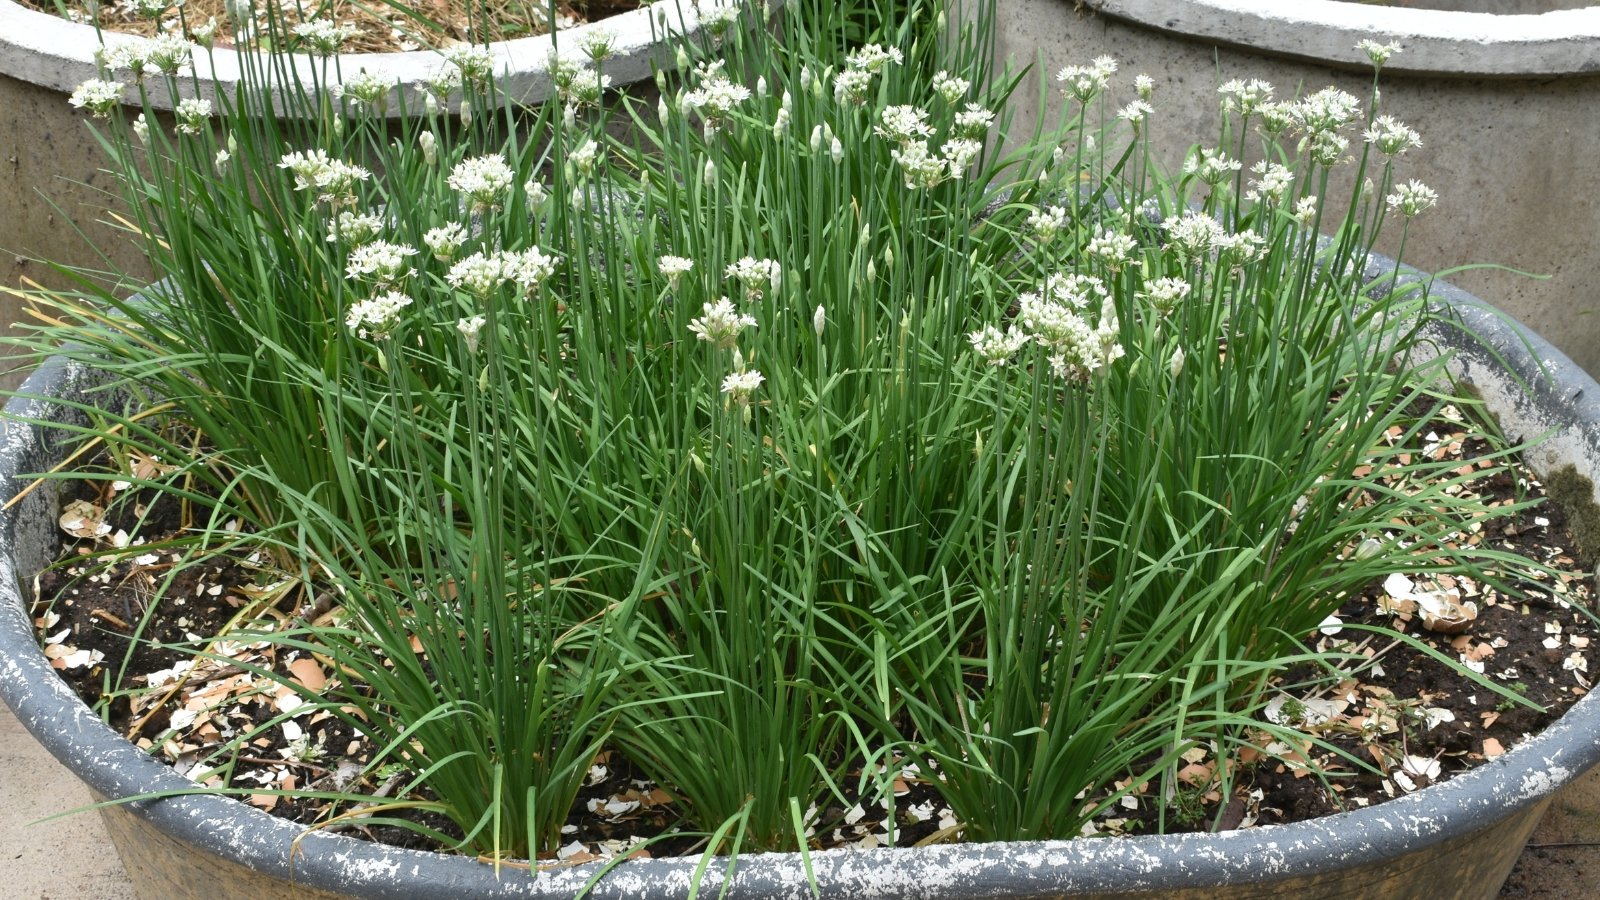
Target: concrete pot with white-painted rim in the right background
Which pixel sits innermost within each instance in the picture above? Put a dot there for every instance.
(1506, 106)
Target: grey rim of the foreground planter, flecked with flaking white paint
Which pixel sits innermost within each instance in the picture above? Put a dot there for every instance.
(1530, 382)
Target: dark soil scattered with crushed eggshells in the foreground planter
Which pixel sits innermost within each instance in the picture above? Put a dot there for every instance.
(1399, 718)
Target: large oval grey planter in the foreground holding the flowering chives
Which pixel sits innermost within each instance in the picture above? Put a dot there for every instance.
(1454, 840)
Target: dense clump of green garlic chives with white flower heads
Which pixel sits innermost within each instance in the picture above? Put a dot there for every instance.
(801, 436)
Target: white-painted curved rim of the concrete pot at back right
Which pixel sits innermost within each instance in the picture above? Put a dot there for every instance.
(1436, 42)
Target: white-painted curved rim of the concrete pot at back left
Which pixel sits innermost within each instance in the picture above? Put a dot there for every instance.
(50, 52)
